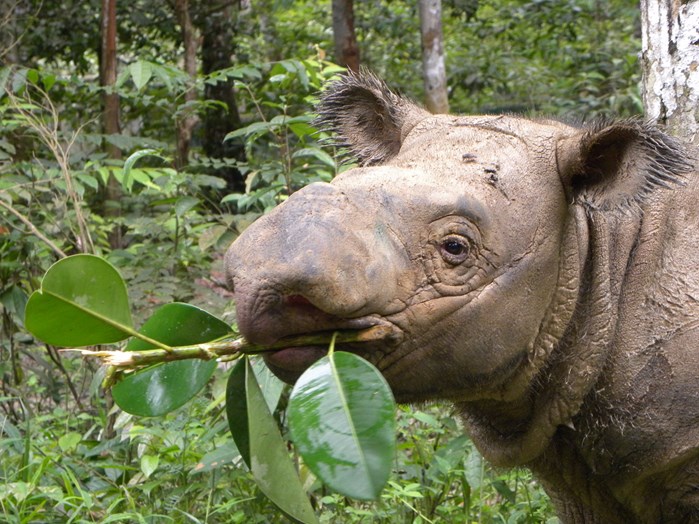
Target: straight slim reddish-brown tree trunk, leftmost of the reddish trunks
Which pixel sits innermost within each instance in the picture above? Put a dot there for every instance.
(110, 115)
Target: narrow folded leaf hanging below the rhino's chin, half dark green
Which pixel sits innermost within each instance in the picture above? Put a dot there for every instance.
(261, 445)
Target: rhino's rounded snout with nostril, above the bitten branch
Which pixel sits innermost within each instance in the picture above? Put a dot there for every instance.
(311, 265)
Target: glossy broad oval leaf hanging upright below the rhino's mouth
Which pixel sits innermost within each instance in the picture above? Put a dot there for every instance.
(342, 421)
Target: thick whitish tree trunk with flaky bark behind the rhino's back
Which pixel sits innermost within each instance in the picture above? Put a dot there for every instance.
(670, 59)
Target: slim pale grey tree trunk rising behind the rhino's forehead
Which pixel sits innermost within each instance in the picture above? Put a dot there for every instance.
(433, 69)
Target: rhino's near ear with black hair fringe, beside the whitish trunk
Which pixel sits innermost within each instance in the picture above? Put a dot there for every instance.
(611, 165)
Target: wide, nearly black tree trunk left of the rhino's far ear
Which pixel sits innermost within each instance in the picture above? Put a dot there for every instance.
(217, 49)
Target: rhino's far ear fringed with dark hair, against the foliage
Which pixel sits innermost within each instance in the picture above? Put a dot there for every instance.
(367, 118)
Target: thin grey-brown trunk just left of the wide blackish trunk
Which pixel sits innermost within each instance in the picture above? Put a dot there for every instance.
(185, 124)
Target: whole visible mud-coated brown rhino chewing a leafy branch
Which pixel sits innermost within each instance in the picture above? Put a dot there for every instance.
(543, 278)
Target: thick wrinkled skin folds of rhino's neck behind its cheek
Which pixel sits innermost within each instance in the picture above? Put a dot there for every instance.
(567, 356)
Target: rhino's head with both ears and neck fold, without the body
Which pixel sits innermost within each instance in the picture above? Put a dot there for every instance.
(482, 242)
